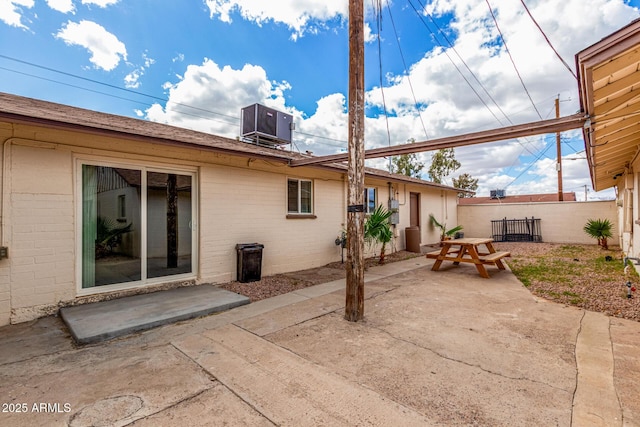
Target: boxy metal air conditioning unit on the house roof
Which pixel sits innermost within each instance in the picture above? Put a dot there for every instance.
(265, 125)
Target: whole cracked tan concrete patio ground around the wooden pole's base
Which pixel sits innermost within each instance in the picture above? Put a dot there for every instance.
(435, 348)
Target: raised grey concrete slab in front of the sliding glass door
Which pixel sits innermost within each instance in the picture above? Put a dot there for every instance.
(90, 323)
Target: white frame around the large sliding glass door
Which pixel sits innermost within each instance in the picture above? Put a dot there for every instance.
(143, 167)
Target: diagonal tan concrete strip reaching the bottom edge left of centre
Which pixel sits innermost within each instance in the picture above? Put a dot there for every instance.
(287, 389)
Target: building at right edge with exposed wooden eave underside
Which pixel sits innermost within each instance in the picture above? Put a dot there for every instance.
(609, 80)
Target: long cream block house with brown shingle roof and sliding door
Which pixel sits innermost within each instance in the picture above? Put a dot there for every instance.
(96, 206)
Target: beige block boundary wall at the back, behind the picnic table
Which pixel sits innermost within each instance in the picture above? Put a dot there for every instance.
(561, 222)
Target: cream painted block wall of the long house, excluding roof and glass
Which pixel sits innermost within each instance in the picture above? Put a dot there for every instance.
(239, 200)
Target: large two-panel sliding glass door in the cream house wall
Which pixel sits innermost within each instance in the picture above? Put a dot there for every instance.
(137, 224)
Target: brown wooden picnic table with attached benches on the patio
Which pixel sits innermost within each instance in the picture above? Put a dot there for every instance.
(467, 250)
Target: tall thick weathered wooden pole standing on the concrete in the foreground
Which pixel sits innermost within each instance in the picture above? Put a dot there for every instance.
(354, 305)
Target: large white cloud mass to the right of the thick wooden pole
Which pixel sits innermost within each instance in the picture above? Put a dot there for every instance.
(452, 107)
